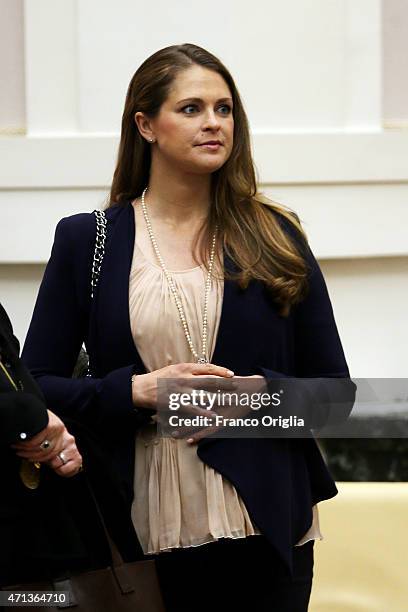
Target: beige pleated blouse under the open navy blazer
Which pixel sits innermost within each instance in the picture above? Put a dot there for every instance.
(179, 501)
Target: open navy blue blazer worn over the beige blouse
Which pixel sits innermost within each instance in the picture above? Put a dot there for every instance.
(278, 479)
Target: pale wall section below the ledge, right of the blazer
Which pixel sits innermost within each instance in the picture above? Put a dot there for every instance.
(369, 297)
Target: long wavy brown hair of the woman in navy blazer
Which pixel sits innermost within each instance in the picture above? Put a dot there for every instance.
(263, 238)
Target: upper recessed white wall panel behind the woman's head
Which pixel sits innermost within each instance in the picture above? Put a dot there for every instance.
(307, 58)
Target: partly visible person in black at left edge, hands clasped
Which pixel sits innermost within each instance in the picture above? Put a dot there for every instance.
(38, 535)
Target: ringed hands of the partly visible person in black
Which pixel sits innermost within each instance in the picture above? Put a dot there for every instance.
(53, 446)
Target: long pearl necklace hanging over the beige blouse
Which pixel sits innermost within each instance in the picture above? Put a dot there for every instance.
(203, 358)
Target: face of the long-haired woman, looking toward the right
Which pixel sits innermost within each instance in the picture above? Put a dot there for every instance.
(198, 110)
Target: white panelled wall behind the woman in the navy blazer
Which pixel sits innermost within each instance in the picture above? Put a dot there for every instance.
(312, 78)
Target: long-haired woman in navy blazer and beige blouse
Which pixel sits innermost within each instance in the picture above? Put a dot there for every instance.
(201, 276)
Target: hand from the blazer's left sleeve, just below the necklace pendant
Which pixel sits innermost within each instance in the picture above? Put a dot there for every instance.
(144, 386)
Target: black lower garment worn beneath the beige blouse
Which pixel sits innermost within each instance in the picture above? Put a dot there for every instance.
(232, 575)
